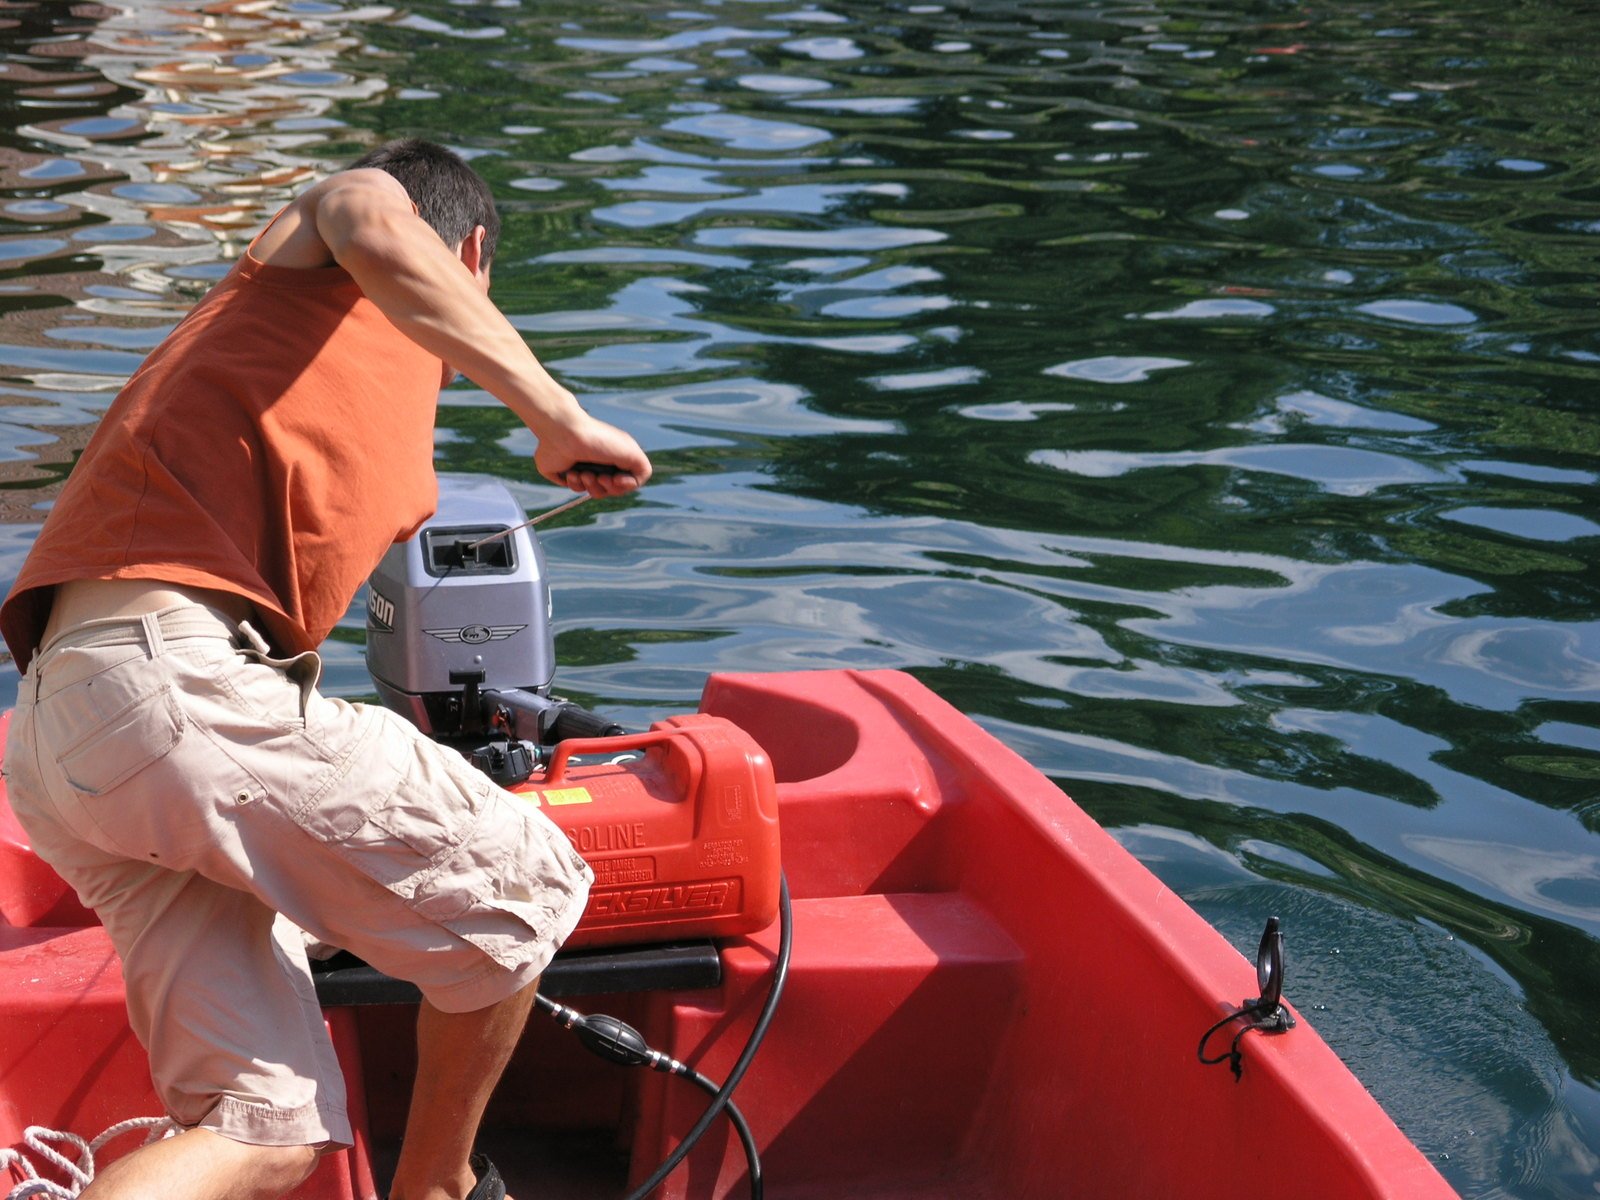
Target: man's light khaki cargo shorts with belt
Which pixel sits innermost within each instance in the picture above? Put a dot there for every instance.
(210, 806)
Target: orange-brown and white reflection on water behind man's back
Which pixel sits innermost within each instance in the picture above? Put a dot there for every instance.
(150, 143)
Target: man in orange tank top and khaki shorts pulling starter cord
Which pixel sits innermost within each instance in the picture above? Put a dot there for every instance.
(170, 754)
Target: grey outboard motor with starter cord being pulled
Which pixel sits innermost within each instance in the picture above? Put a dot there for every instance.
(458, 634)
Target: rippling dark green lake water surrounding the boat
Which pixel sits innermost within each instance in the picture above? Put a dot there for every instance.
(1199, 396)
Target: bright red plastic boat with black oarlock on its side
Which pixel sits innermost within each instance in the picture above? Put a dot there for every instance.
(988, 999)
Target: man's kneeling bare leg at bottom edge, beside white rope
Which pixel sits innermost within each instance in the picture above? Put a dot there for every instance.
(204, 1166)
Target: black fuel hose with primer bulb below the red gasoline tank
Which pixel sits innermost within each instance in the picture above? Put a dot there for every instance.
(620, 1042)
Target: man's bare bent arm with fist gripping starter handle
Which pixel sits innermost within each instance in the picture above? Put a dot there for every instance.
(367, 223)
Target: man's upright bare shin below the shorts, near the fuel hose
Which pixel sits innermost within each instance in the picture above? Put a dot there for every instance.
(460, 1060)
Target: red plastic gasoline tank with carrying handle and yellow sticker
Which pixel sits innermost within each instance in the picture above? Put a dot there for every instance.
(682, 839)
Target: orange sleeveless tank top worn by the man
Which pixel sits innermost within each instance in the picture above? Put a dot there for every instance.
(274, 447)
